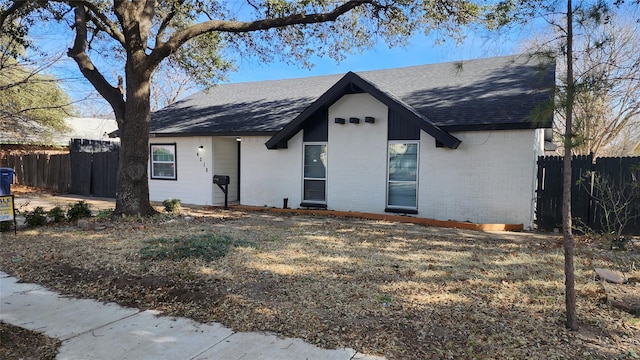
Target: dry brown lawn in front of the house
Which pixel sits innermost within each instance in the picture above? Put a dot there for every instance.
(400, 290)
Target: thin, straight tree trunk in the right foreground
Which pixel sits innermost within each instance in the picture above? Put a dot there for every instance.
(570, 292)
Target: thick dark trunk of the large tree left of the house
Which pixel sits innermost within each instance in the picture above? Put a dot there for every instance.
(132, 197)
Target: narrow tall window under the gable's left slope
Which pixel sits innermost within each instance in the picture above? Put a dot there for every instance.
(315, 173)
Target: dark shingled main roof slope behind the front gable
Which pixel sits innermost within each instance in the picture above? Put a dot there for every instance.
(491, 93)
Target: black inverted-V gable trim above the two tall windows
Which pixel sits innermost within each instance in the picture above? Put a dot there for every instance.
(349, 84)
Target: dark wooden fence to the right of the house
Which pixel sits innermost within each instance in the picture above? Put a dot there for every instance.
(588, 192)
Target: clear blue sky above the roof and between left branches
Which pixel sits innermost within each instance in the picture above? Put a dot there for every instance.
(421, 49)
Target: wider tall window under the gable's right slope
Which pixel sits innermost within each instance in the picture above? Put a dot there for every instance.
(402, 184)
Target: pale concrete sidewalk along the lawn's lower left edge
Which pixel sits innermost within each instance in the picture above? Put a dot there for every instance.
(93, 330)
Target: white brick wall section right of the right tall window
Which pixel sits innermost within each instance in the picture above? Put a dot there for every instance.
(490, 178)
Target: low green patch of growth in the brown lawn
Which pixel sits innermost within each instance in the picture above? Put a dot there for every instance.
(207, 247)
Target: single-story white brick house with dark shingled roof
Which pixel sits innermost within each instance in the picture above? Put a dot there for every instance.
(451, 141)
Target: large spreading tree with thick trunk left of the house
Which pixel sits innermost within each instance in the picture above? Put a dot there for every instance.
(144, 33)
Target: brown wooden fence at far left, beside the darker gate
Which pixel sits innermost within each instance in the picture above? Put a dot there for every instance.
(44, 171)
